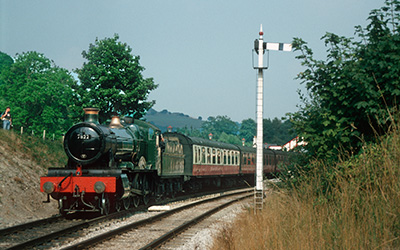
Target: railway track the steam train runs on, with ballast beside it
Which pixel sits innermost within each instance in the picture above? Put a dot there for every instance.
(54, 232)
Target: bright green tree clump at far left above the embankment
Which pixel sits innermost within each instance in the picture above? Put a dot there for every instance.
(39, 94)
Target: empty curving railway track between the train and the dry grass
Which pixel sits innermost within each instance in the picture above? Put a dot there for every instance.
(154, 231)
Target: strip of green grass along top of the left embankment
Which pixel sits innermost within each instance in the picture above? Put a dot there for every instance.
(46, 153)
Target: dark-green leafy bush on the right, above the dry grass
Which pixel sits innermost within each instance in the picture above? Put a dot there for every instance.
(353, 93)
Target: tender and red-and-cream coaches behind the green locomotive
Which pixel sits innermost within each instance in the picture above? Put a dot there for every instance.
(200, 158)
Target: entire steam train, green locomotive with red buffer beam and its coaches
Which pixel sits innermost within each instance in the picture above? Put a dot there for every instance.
(129, 162)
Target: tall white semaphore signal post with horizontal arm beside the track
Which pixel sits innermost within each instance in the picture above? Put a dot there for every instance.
(260, 47)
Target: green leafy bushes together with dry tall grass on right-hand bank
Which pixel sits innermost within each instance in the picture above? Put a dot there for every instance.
(345, 192)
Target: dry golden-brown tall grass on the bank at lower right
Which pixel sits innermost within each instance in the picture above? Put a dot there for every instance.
(361, 209)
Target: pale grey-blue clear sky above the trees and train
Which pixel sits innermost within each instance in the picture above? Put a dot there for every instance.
(198, 52)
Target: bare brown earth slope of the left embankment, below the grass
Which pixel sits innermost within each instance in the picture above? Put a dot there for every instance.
(20, 197)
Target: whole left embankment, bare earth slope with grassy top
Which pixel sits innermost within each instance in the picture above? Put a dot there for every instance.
(22, 162)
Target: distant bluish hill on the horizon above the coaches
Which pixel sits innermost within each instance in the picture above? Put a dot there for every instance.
(164, 119)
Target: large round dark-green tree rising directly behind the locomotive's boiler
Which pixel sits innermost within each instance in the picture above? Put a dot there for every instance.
(112, 80)
